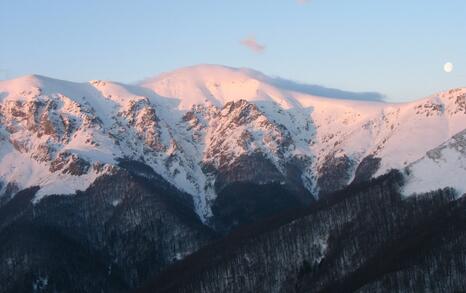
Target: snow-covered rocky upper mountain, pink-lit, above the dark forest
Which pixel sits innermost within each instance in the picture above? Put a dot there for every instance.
(204, 127)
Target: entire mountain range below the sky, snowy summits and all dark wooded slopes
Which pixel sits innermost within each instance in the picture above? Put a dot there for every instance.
(227, 182)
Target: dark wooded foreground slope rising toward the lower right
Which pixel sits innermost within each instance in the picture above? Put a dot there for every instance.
(366, 238)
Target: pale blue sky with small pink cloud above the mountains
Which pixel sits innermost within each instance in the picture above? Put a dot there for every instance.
(396, 47)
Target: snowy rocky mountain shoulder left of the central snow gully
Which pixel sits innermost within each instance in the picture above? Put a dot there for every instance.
(61, 135)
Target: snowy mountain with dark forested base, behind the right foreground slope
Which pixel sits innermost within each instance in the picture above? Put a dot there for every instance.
(134, 178)
